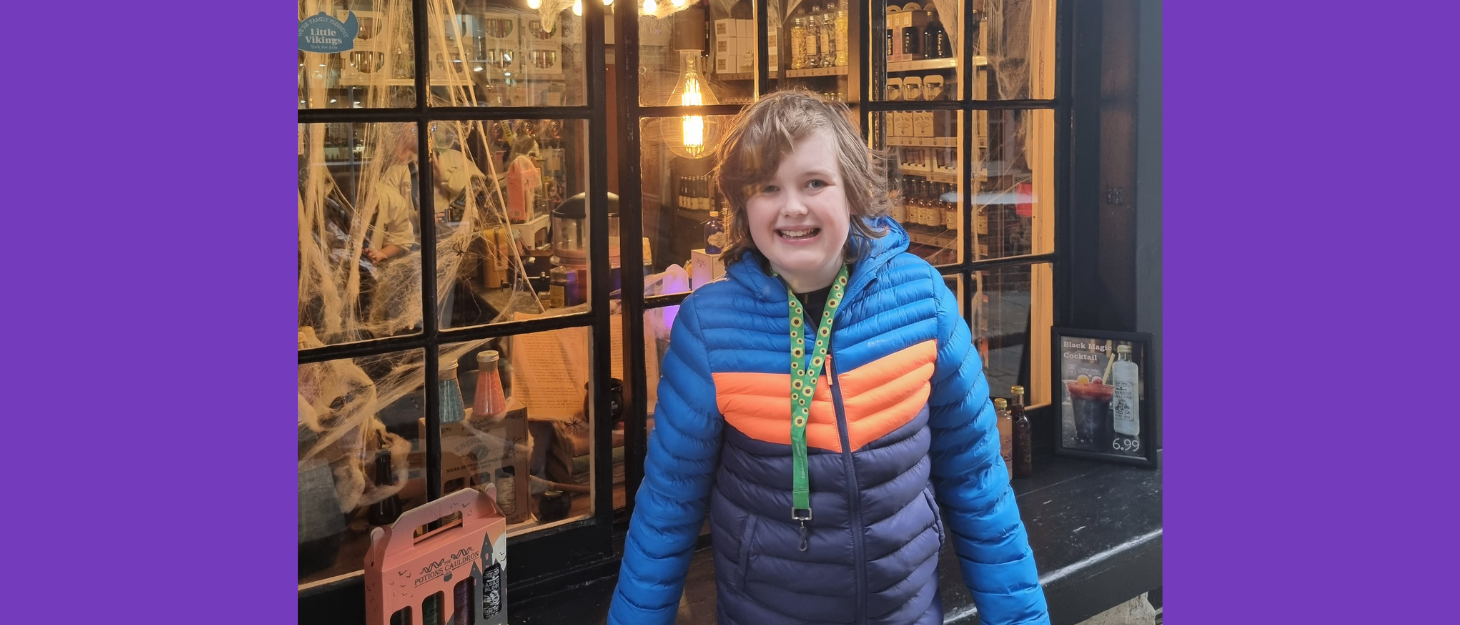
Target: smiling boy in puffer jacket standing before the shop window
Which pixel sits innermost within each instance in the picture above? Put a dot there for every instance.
(820, 399)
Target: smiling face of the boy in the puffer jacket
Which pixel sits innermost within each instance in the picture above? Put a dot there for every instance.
(799, 220)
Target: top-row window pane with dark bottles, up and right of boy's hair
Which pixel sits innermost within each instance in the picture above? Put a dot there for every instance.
(922, 52)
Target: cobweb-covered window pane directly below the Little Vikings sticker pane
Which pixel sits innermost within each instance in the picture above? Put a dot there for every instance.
(360, 255)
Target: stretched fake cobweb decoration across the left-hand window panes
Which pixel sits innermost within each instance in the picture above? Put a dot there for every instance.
(345, 297)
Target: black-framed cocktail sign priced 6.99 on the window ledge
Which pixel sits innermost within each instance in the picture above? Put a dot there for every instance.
(1107, 396)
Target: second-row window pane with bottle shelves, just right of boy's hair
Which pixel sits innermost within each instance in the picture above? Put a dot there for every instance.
(925, 170)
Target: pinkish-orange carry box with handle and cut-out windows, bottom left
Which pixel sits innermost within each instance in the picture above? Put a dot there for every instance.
(440, 564)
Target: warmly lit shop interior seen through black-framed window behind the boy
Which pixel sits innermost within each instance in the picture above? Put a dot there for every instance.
(554, 205)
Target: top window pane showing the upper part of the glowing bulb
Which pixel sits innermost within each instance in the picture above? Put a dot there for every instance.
(693, 56)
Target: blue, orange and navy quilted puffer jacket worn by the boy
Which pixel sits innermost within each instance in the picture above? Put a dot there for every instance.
(902, 430)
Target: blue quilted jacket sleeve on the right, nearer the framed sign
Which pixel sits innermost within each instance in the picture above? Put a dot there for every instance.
(972, 483)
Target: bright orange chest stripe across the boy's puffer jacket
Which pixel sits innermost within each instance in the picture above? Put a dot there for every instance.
(880, 398)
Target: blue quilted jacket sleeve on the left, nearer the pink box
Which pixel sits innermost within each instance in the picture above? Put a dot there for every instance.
(678, 472)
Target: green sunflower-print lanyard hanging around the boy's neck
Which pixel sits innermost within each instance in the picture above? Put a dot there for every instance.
(804, 388)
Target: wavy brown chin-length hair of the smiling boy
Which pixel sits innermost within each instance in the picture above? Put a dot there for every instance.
(766, 132)
